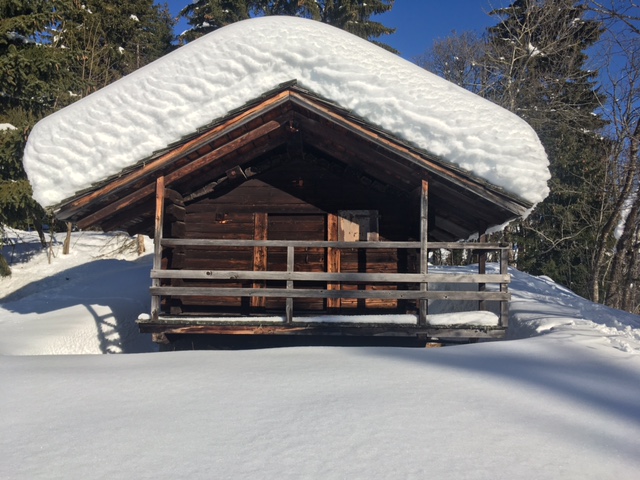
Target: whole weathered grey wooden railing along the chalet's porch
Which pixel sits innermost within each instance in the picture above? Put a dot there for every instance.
(292, 290)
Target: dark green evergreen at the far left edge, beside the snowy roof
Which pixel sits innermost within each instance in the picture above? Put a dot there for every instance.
(34, 80)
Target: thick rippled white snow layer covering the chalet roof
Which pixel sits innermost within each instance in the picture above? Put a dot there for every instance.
(158, 104)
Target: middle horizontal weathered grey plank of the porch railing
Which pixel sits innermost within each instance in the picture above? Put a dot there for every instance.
(332, 277)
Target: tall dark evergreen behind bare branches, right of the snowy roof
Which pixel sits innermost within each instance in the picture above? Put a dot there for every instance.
(538, 70)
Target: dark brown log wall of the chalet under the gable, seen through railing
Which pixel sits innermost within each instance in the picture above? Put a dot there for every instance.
(258, 210)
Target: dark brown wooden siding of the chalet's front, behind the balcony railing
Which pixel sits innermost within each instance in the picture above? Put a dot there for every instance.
(275, 199)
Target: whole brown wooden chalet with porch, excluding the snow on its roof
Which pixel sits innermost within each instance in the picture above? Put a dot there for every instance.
(292, 216)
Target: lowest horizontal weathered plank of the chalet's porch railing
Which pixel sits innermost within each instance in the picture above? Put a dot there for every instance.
(323, 293)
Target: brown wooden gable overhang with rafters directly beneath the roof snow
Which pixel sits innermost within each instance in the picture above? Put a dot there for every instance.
(306, 148)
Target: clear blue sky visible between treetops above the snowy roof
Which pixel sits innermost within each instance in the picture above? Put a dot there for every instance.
(418, 22)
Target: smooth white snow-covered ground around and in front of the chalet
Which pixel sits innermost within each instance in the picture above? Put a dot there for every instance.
(560, 399)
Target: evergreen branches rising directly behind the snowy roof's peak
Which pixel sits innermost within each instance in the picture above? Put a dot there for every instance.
(353, 16)
